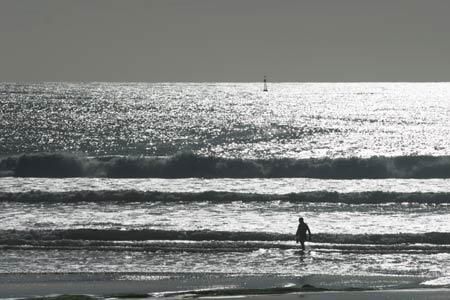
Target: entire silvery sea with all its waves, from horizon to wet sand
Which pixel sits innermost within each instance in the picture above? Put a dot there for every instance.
(163, 180)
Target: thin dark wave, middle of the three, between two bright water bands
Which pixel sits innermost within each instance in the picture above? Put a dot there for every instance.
(372, 197)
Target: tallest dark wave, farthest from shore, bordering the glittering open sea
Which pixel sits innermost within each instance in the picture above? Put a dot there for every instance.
(186, 165)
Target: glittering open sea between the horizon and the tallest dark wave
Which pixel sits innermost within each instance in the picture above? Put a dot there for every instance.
(298, 120)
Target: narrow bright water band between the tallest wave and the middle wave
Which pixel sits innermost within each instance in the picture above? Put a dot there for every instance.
(244, 185)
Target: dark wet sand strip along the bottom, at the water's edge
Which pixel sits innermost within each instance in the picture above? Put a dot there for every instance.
(213, 286)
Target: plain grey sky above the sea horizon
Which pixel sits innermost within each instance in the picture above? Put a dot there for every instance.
(227, 40)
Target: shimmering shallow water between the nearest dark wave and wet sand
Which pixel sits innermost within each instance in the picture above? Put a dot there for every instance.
(272, 261)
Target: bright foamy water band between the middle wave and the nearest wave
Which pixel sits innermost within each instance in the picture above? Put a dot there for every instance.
(273, 216)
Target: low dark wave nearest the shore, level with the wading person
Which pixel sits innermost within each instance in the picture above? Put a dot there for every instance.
(84, 235)
